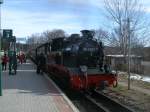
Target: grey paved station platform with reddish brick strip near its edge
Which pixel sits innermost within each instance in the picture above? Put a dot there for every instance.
(29, 92)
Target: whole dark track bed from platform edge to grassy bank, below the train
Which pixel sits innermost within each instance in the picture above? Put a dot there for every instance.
(93, 102)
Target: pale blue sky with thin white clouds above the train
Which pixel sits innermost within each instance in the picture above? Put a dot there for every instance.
(26, 17)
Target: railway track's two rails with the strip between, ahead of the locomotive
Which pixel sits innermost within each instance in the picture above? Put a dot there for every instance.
(105, 103)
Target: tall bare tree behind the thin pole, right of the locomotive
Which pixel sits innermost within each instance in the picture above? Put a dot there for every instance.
(120, 11)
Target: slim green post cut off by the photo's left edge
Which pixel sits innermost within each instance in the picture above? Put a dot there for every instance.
(1, 1)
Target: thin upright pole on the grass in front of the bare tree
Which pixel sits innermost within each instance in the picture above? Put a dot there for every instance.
(129, 51)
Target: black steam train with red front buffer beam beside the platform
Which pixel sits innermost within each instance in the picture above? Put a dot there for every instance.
(77, 61)
